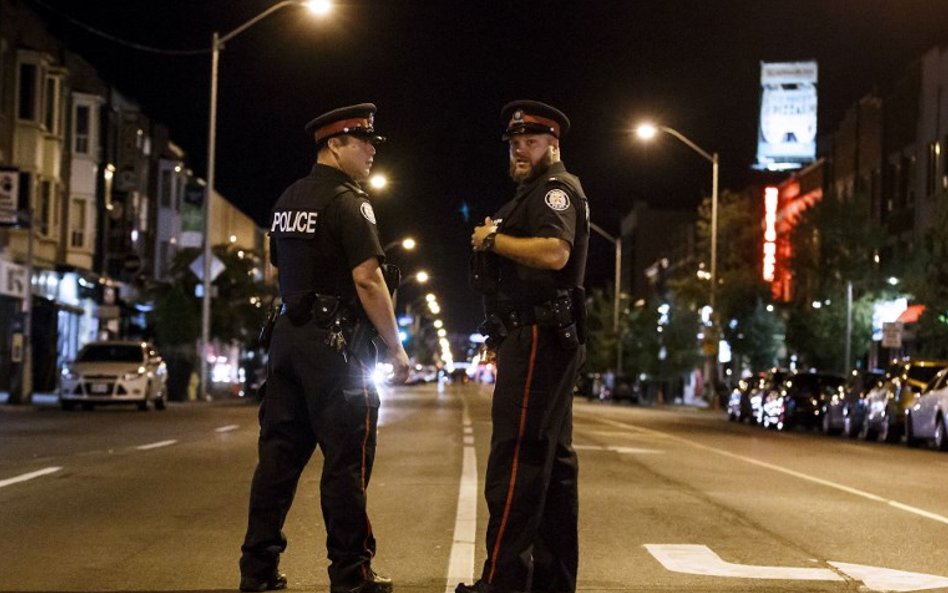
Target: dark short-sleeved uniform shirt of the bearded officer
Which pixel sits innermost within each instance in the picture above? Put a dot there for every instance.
(552, 205)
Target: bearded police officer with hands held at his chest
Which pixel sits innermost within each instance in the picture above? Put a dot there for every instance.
(529, 262)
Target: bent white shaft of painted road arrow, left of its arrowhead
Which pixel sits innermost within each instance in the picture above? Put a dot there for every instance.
(694, 559)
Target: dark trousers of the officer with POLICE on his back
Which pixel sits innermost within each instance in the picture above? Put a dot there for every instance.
(313, 398)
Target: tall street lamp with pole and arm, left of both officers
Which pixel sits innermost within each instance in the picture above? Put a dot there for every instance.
(317, 7)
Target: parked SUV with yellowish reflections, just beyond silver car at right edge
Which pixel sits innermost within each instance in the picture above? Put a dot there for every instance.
(887, 404)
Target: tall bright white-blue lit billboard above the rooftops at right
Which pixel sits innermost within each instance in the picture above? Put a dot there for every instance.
(786, 137)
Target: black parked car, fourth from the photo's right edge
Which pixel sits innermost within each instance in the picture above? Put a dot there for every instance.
(800, 399)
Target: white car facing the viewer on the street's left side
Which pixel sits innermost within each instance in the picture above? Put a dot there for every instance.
(114, 371)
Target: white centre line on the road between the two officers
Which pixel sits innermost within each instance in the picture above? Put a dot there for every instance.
(461, 563)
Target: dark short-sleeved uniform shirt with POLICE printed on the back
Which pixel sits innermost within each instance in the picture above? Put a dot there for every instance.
(321, 228)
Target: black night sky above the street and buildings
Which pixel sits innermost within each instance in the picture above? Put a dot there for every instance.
(439, 72)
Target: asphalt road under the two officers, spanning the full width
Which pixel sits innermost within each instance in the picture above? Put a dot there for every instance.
(672, 499)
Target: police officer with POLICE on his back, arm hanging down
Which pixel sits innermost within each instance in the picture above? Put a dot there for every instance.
(323, 239)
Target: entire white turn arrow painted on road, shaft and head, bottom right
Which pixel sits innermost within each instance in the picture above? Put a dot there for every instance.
(701, 560)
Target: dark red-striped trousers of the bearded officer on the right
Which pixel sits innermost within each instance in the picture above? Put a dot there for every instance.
(531, 481)
